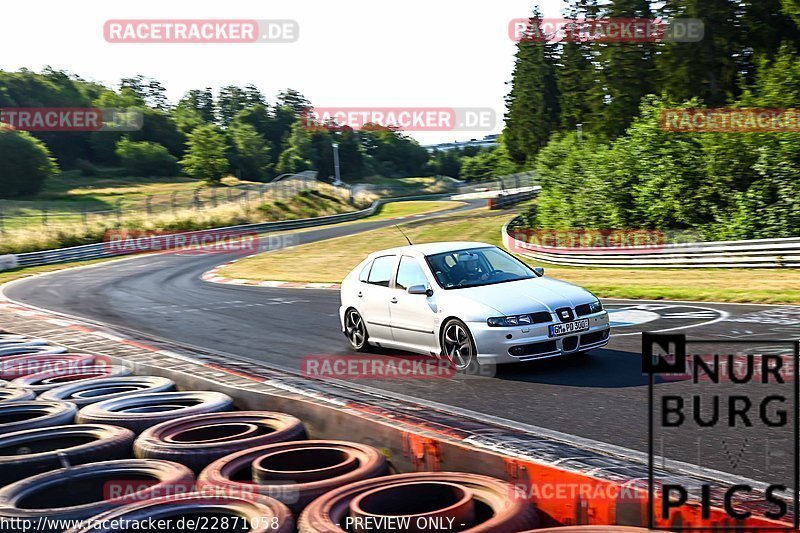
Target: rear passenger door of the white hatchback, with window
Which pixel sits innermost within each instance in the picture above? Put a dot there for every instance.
(374, 296)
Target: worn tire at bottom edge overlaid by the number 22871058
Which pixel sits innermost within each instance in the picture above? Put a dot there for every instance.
(259, 513)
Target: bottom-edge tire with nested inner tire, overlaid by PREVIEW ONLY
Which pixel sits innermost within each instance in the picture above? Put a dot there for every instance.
(504, 511)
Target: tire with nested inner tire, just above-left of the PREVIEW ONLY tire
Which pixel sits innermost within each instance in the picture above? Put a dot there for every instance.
(294, 472)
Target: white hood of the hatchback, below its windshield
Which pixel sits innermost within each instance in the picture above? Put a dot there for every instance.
(528, 296)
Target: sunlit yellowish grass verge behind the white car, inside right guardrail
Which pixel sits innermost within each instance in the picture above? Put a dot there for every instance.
(329, 261)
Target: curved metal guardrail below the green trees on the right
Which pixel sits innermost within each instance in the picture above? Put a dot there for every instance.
(757, 253)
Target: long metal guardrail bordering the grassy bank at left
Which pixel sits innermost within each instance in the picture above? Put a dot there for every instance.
(102, 250)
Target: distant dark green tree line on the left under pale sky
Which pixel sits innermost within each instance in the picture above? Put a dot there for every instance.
(206, 135)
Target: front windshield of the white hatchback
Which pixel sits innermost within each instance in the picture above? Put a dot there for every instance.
(474, 267)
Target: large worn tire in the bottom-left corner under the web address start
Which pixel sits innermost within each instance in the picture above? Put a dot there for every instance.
(81, 492)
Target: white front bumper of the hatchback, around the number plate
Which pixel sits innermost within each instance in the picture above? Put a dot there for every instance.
(533, 342)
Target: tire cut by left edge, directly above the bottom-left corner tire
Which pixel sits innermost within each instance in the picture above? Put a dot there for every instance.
(35, 451)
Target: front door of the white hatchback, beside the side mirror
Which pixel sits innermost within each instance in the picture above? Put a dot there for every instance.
(412, 315)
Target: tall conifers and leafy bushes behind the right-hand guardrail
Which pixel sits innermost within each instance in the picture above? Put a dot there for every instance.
(623, 170)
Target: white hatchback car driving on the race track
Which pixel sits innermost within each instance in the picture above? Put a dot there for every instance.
(468, 302)
